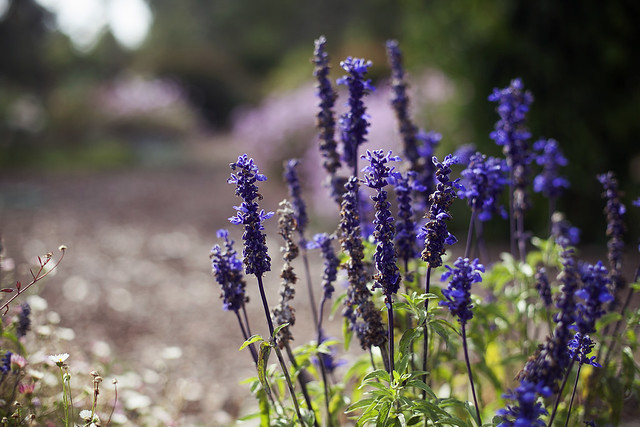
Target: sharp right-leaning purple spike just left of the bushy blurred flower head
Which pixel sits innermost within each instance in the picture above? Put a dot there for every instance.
(434, 232)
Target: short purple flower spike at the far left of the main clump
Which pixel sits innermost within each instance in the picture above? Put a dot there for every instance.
(228, 273)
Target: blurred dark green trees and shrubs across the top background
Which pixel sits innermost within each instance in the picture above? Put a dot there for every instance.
(204, 58)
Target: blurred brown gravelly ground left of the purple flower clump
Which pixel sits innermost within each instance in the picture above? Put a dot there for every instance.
(137, 274)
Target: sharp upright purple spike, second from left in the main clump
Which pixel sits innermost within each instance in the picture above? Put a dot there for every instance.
(256, 258)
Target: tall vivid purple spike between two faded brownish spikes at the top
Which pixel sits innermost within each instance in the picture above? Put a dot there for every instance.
(354, 123)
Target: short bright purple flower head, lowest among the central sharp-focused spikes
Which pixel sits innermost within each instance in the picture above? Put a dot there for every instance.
(458, 294)
